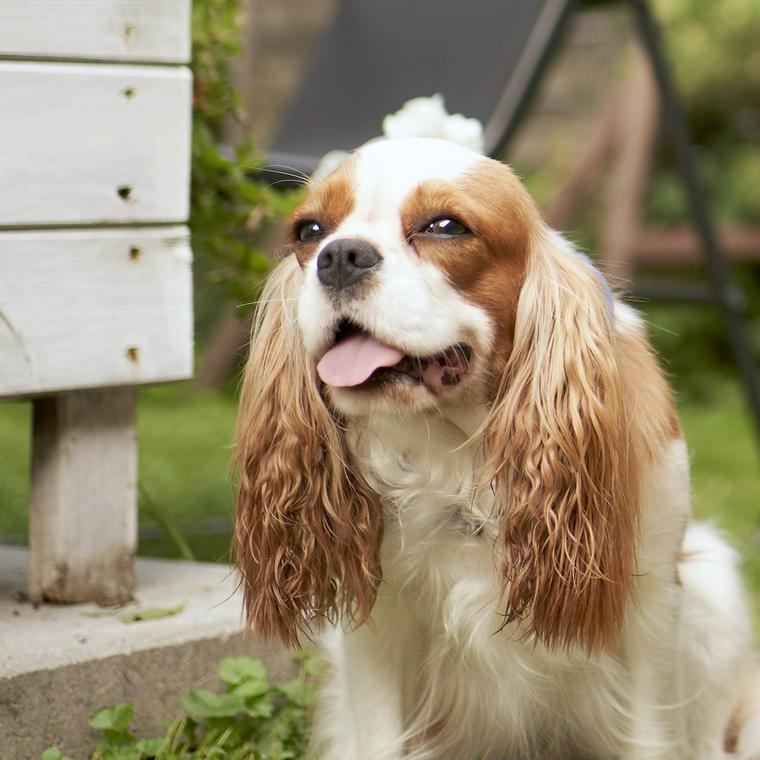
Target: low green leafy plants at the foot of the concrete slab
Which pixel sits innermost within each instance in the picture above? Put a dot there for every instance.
(250, 719)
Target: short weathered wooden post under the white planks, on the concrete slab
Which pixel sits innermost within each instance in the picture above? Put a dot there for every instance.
(83, 515)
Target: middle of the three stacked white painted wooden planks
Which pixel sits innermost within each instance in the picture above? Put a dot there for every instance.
(83, 144)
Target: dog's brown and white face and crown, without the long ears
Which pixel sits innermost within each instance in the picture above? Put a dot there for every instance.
(412, 254)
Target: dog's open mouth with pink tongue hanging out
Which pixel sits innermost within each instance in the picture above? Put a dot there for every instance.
(358, 360)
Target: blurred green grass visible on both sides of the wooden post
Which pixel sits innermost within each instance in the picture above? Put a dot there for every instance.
(185, 440)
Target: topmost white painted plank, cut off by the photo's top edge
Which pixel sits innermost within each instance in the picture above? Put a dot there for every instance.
(150, 31)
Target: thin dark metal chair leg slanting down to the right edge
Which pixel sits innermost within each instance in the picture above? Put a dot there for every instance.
(728, 296)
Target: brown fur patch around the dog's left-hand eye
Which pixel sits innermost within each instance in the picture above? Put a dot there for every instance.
(329, 203)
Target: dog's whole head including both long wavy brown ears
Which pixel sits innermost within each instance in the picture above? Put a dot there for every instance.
(421, 275)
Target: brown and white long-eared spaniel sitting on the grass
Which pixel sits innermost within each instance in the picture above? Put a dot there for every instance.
(461, 468)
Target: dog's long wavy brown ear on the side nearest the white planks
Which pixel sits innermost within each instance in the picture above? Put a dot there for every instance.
(307, 529)
